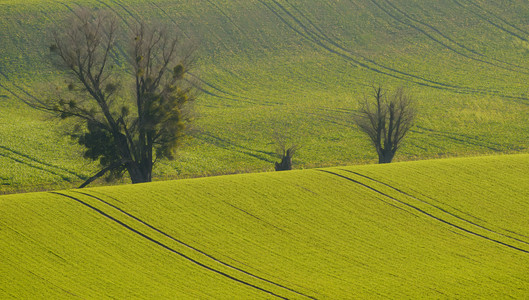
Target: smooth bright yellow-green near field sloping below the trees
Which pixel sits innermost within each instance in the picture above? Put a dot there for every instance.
(453, 228)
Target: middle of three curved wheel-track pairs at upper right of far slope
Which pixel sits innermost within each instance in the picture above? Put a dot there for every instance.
(435, 39)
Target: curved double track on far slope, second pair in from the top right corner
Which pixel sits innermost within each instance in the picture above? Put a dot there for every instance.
(456, 43)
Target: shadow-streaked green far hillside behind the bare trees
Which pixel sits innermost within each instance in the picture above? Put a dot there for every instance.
(296, 67)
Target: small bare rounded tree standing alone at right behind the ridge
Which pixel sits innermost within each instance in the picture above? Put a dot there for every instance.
(386, 120)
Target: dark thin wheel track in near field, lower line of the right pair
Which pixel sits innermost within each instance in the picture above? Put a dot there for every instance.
(427, 213)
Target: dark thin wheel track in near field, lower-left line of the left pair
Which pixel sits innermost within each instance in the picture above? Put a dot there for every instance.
(167, 247)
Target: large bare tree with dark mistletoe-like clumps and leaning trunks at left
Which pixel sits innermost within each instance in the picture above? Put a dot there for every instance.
(130, 115)
